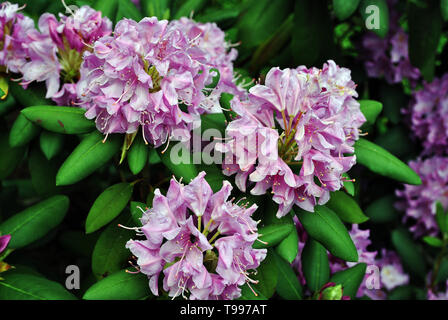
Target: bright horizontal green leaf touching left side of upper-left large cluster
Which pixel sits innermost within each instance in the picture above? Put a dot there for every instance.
(67, 120)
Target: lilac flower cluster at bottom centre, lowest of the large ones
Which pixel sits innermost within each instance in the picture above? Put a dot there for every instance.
(199, 240)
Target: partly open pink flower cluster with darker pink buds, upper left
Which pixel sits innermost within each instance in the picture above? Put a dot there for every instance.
(56, 52)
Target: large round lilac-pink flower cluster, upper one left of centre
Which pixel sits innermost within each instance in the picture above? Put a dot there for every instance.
(151, 74)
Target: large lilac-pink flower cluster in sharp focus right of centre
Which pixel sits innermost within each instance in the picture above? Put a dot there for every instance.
(319, 120)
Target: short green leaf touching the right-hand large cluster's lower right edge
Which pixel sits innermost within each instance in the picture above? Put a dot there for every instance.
(346, 207)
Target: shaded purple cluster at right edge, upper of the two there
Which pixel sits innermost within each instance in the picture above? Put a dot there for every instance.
(429, 116)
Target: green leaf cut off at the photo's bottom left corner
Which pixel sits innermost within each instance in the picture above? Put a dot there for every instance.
(24, 286)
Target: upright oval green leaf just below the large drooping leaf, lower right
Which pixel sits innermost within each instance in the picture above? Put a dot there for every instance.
(315, 265)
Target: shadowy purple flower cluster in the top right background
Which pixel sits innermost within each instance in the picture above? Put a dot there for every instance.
(389, 56)
